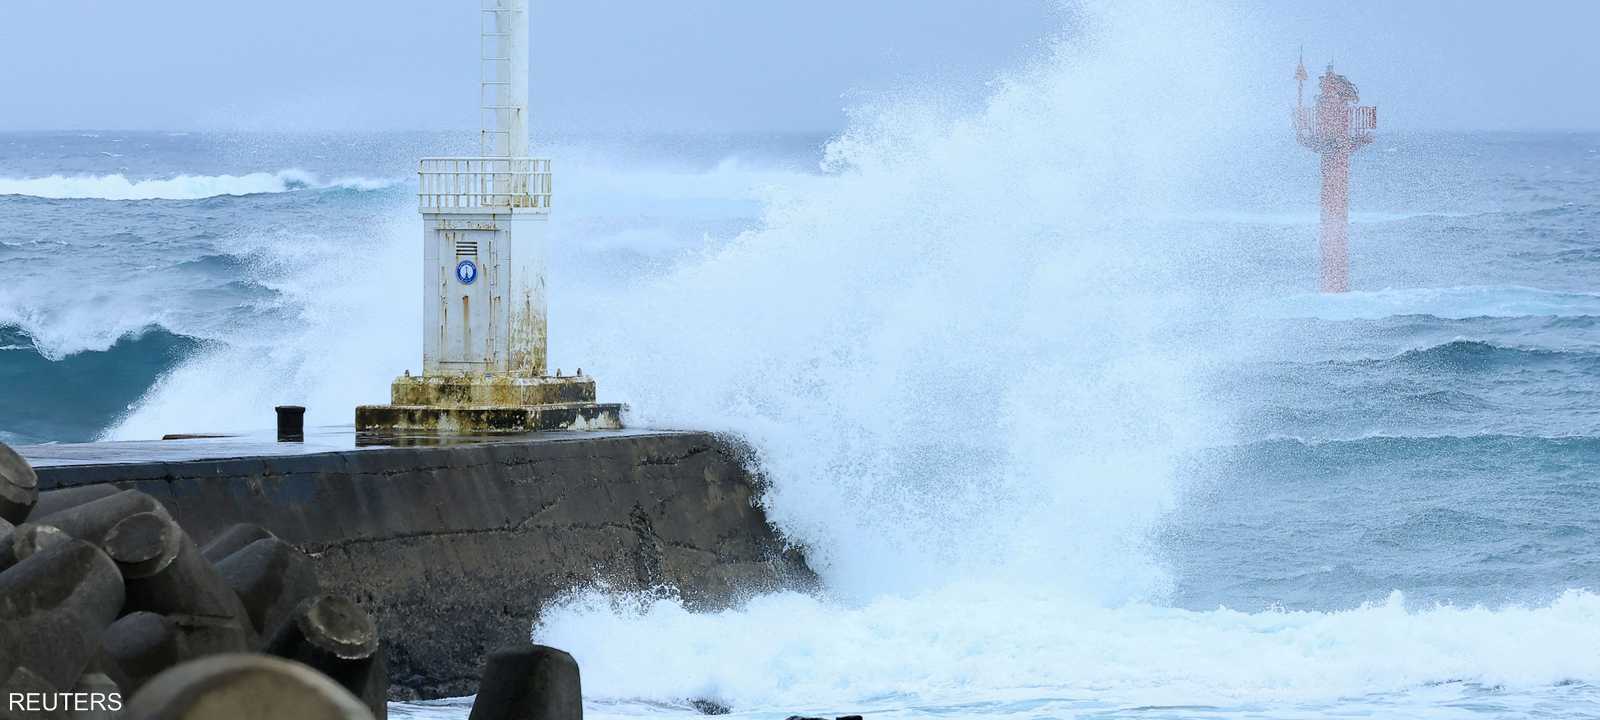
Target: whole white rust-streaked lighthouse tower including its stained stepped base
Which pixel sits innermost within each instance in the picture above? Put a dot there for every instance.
(484, 305)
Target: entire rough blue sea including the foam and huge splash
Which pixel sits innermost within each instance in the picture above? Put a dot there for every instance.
(1042, 386)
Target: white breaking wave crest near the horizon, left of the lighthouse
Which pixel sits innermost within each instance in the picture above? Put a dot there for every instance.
(180, 188)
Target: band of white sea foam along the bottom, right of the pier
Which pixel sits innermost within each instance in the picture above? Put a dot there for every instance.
(1004, 646)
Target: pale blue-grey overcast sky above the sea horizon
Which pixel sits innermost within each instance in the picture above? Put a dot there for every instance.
(719, 65)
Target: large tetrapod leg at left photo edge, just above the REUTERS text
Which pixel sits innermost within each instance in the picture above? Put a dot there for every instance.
(54, 609)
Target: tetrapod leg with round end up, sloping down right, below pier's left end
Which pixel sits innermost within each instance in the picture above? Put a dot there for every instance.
(166, 574)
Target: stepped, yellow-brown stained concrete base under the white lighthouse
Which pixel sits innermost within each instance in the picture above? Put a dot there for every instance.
(473, 406)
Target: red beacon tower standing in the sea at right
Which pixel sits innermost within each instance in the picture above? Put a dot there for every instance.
(1334, 129)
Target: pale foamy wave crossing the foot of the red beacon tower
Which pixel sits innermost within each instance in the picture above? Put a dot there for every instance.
(1446, 303)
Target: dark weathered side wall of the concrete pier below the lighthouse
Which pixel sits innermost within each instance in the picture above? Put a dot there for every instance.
(455, 550)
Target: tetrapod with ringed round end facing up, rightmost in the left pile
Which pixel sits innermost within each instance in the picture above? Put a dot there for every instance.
(340, 639)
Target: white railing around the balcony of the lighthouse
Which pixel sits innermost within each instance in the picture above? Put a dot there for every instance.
(447, 183)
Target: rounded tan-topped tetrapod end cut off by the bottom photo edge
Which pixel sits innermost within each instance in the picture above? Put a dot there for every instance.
(244, 687)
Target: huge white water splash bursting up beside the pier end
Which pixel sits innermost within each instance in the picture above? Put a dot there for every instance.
(961, 353)
